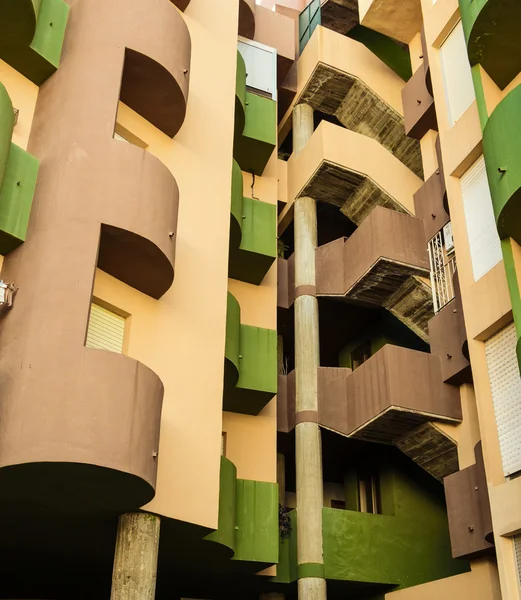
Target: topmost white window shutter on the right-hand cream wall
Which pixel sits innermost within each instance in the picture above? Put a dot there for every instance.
(457, 75)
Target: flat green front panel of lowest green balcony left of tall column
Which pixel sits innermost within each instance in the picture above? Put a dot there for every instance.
(257, 523)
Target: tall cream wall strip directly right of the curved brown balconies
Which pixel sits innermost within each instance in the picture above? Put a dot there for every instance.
(181, 337)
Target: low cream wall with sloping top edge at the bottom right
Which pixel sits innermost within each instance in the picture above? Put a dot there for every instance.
(479, 584)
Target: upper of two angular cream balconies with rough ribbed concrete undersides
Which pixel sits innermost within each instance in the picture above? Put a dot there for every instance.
(341, 77)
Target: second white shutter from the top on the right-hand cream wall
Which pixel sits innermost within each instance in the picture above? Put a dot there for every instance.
(485, 247)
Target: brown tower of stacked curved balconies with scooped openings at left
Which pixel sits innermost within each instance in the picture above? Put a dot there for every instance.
(80, 426)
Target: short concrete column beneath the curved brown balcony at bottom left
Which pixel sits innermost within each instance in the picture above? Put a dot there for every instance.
(135, 561)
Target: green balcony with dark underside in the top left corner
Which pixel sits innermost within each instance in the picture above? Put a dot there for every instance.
(31, 36)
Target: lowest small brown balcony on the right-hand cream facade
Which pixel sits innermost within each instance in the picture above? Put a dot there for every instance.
(468, 510)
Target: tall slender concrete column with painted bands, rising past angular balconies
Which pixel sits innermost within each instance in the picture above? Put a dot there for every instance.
(308, 451)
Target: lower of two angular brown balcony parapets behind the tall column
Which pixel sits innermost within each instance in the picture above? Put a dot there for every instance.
(391, 394)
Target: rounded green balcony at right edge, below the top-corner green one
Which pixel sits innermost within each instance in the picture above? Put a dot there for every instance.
(502, 150)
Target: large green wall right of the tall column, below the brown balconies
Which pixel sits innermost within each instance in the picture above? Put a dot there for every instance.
(406, 549)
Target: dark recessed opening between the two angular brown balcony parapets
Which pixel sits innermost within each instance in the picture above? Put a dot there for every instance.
(351, 334)
